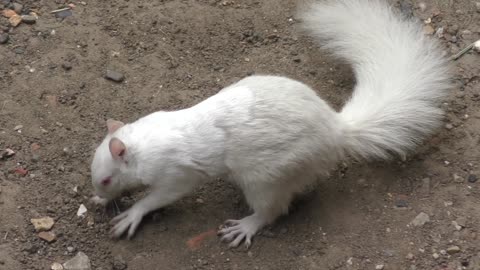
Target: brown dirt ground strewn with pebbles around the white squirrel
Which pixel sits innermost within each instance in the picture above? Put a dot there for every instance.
(174, 53)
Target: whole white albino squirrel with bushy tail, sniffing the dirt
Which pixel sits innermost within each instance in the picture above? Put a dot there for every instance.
(272, 136)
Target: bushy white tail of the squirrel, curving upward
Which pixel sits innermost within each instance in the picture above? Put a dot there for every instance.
(401, 75)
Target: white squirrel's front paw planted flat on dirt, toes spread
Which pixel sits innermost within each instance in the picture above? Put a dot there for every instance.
(129, 219)
